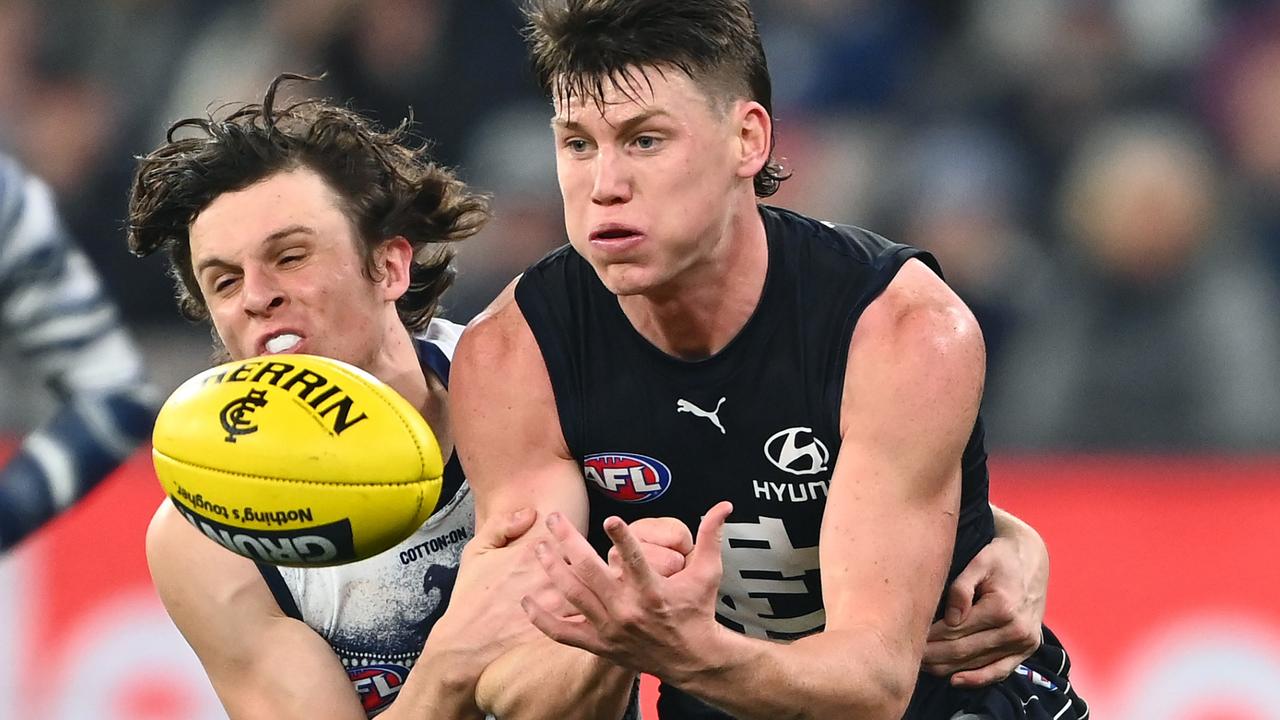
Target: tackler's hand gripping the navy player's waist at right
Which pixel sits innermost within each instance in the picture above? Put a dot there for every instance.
(993, 619)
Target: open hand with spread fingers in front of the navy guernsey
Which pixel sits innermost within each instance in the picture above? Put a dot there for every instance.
(632, 616)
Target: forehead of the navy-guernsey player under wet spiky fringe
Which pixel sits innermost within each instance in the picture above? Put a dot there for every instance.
(636, 90)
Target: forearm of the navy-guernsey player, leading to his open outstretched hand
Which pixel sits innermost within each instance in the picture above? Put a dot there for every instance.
(852, 673)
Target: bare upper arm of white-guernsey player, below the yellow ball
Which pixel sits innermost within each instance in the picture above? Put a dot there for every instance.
(225, 610)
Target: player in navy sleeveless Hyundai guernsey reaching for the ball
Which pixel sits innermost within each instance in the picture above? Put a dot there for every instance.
(806, 395)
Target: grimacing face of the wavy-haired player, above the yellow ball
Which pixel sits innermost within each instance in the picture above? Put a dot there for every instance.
(281, 272)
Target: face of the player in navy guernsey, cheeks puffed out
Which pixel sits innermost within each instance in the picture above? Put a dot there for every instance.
(651, 183)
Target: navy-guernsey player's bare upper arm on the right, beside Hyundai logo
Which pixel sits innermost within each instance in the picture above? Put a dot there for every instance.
(911, 398)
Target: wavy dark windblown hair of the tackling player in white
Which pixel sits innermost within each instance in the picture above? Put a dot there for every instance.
(387, 189)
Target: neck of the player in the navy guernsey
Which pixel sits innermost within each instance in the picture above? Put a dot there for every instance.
(707, 306)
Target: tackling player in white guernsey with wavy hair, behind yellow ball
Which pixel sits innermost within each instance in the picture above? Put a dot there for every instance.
(308, 230)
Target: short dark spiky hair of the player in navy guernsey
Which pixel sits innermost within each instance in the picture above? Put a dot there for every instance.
(579, 47)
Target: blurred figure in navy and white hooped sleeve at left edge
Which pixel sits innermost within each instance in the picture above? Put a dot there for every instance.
(57, 318)
